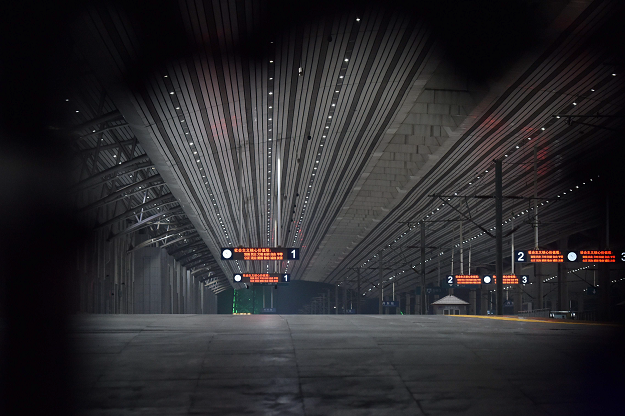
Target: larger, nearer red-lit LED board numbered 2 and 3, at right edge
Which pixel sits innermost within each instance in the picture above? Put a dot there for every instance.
(557, 256)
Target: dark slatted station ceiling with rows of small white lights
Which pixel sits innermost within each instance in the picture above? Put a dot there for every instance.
(369, 116)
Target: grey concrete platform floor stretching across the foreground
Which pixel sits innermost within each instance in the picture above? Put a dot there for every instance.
(345, 365)
